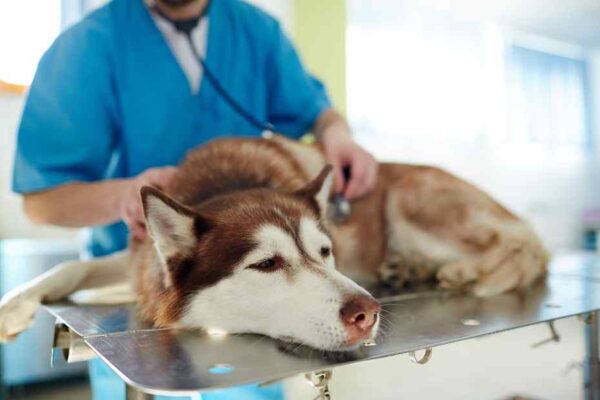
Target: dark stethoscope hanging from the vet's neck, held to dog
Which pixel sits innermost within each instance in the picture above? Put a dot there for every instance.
(341, 207)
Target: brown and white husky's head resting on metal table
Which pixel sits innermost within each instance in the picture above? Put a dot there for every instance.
(260, 261)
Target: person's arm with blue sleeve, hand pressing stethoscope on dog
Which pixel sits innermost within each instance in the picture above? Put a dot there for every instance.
(298, 103)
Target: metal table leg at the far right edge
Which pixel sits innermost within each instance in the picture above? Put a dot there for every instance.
(591, 367)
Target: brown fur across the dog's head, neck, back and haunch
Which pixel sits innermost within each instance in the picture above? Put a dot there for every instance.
(368, 246)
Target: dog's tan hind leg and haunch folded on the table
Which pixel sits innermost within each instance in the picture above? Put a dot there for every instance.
(477, 242)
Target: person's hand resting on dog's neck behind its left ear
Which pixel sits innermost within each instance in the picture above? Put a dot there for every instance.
(131, 206)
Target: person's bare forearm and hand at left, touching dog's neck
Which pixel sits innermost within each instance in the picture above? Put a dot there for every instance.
(80, 204)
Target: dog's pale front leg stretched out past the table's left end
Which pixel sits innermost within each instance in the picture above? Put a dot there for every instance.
(18, 306)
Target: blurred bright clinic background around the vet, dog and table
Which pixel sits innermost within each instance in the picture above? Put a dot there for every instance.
(505, 93)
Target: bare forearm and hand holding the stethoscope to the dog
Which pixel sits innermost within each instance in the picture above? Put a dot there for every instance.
(332, 130)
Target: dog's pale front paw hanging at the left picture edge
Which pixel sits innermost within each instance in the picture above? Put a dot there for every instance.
(16, 315)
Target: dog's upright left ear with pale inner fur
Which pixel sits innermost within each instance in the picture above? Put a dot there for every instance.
(174, 228)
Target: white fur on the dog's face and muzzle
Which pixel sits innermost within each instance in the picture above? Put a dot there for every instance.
(302, 309)
